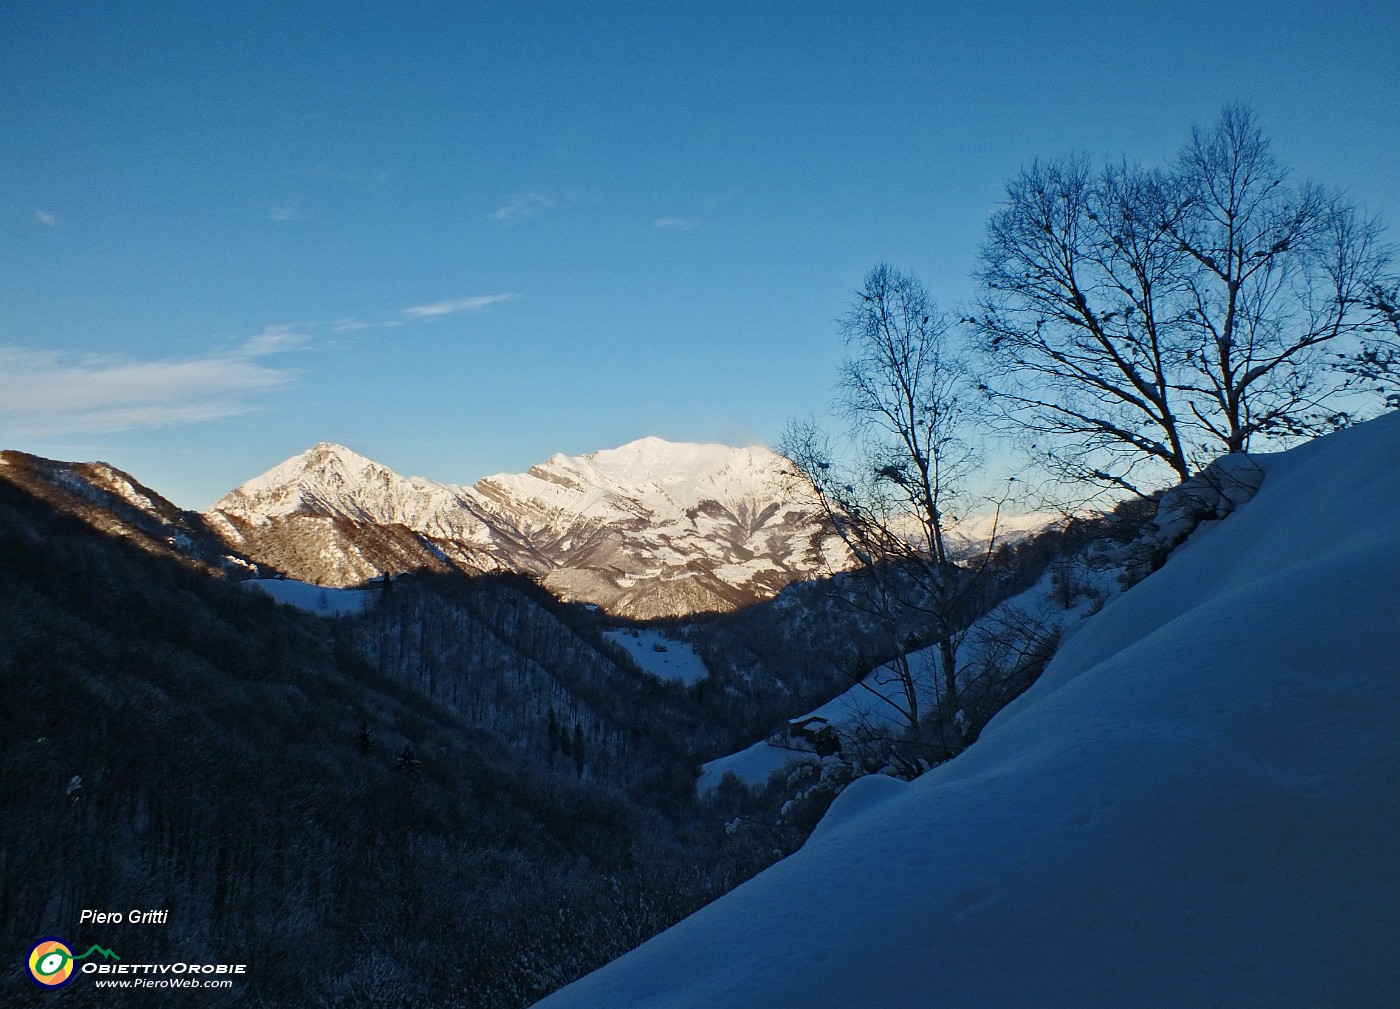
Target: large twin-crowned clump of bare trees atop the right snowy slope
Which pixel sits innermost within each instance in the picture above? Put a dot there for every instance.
(1143, 320)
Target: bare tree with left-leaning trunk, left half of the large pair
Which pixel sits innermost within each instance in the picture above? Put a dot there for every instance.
(1079, 324)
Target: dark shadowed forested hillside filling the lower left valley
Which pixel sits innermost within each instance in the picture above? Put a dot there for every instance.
(458, 798)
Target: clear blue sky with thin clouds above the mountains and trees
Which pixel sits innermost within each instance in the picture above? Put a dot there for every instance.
(464, 237)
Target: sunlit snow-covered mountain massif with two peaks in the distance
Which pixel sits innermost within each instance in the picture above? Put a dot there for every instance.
(649, 530)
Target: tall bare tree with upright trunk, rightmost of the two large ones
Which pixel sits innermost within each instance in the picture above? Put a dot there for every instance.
(1280, 275)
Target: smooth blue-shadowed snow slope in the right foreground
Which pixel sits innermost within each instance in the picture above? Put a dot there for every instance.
(1198, 804)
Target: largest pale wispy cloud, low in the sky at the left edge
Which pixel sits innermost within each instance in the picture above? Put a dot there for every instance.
(47, 393)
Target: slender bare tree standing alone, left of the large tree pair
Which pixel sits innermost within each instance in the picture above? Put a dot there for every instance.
(888, 489)
